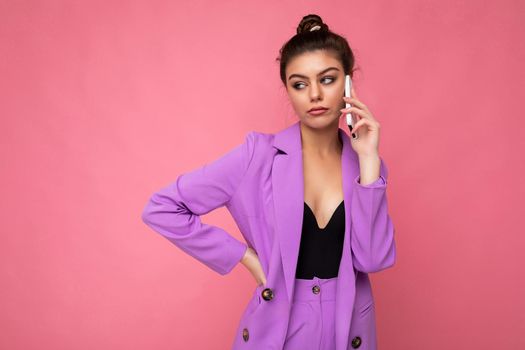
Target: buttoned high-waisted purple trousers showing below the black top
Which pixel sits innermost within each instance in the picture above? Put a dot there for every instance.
(312, 318)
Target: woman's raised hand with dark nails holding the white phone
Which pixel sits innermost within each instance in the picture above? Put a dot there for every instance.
(366, 127)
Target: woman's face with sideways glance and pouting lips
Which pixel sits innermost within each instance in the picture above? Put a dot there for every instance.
(316, 79)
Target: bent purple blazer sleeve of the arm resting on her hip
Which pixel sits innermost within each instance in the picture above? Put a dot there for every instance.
(174, 211)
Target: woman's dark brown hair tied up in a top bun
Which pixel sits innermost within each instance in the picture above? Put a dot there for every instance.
(313, 34)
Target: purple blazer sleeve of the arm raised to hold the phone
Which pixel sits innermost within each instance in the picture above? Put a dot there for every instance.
(373, 244)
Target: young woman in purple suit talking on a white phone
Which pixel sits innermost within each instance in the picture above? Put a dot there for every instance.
(310, 202)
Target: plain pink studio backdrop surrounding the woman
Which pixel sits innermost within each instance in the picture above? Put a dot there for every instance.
(104, 102)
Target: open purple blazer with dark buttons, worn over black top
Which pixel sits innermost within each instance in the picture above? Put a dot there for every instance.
(261, 183)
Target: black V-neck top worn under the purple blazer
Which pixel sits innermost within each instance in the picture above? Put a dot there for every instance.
(321, 249)
